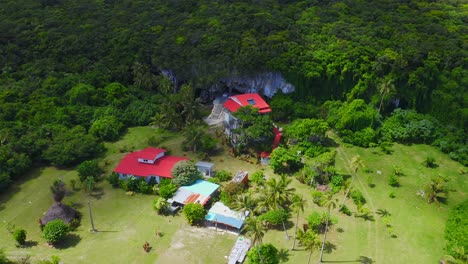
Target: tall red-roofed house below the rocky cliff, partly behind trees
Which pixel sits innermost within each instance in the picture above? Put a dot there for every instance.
(235, 102)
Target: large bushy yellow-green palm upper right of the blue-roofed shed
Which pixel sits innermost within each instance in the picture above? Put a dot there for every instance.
(278, 194)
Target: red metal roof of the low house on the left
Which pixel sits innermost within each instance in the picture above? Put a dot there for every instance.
(162, 167)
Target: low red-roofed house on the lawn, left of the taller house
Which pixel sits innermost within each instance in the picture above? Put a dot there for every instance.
(147, 163)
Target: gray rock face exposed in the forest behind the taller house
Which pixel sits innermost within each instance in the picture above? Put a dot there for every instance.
(267, 83)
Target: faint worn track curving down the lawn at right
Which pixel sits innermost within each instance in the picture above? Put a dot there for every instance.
(347, 160)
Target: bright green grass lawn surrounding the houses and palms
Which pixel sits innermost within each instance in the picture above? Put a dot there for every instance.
(126, 222)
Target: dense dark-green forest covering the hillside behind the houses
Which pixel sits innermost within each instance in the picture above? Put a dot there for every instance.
(75, 73)
